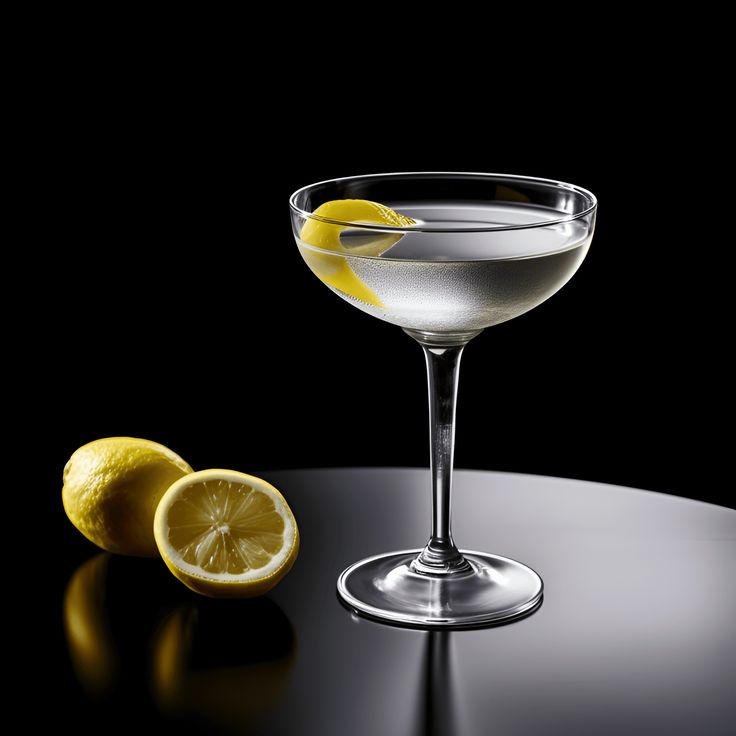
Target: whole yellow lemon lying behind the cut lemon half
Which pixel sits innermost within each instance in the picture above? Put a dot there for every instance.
(111, 490)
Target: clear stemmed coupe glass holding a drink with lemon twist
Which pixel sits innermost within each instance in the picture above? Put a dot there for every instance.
(484, 248)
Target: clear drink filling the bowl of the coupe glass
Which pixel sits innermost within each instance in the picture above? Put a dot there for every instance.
(464, 280)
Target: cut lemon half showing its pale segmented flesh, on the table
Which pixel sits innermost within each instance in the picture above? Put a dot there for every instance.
(226, 534)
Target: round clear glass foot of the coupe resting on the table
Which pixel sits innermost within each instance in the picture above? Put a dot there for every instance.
(494, 589)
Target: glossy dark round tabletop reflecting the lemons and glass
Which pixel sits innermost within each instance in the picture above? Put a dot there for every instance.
(636, 634)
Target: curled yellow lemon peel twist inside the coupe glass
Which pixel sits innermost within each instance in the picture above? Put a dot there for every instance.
(335, 270)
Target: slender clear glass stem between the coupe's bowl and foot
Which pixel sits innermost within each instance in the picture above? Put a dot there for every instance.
(441, 556)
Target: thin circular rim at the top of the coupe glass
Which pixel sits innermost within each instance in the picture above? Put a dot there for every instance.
(592, 200)
